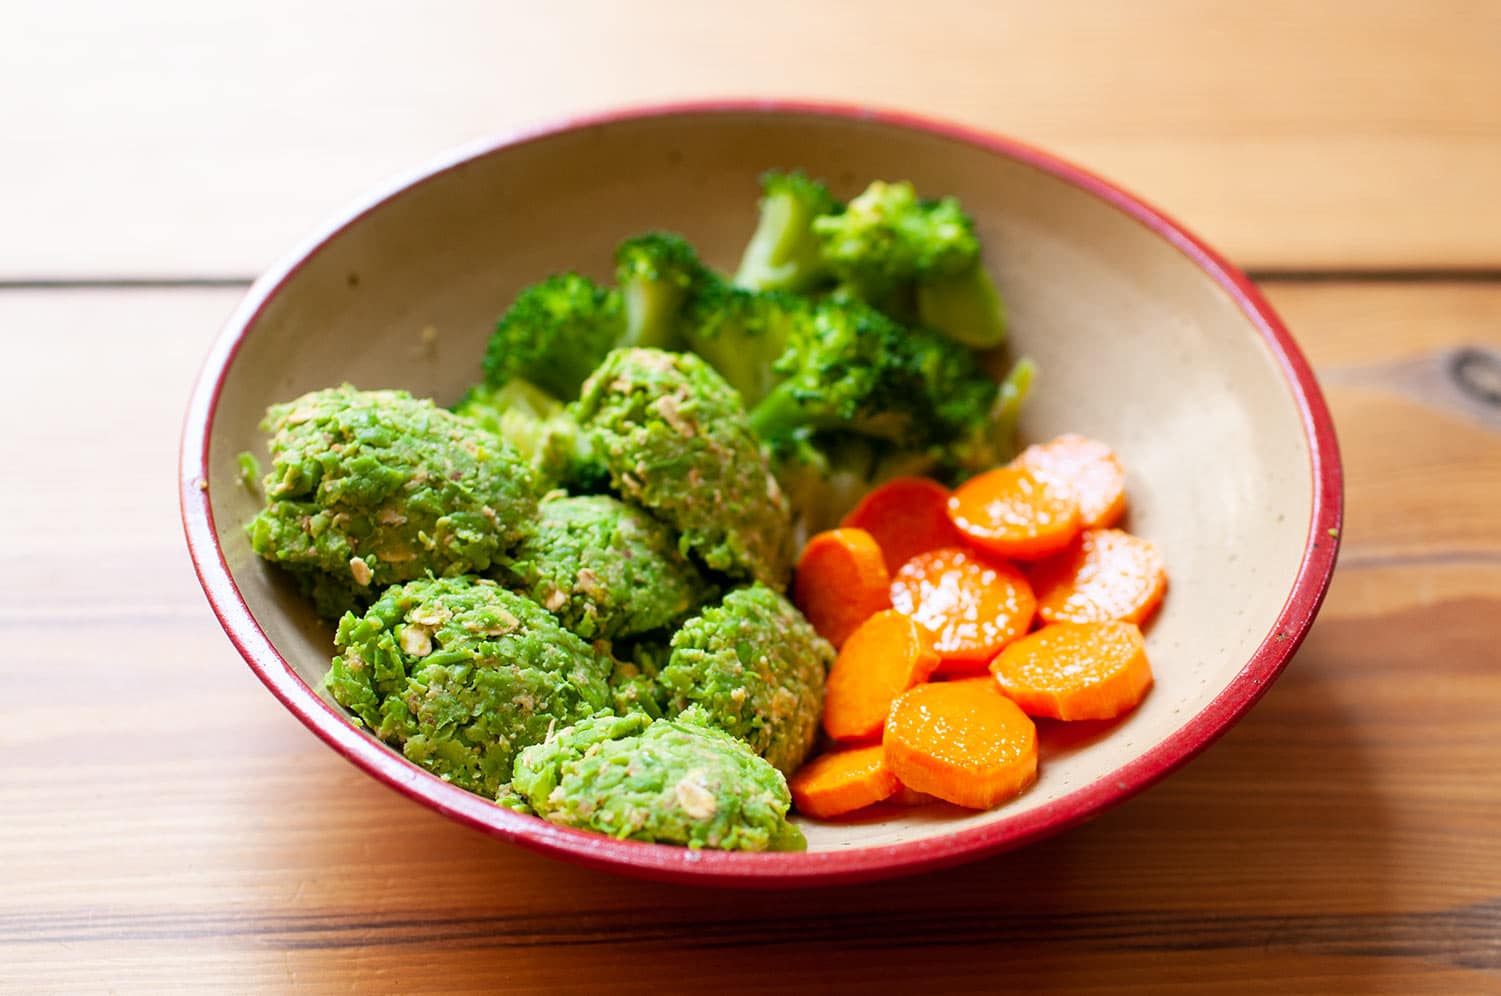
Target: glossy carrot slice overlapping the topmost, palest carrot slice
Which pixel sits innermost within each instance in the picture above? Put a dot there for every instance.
(1014, 512)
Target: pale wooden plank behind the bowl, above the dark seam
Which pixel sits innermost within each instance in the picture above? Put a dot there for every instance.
(179, 139)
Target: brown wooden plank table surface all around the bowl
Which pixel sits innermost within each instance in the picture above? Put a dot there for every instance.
(166, 826)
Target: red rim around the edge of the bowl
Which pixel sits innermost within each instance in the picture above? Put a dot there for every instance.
(778, 871)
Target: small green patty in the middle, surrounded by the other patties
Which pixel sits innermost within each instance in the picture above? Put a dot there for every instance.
(606, 569)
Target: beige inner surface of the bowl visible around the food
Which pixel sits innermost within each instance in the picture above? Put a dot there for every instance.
(1137, 346)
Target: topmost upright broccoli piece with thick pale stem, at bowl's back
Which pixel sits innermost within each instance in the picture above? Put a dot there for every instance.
(784, 254)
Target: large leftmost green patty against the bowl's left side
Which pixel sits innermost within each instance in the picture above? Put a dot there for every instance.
(376, 488)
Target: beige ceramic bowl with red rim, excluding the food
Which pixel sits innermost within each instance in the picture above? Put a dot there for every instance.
(1146, 338)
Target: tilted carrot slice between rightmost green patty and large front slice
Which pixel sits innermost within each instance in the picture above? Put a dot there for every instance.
(885, 658)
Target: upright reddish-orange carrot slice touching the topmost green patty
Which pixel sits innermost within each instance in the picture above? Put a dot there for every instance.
(841, 581)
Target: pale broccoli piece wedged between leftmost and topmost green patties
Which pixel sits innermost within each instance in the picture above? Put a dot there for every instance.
(543, 431)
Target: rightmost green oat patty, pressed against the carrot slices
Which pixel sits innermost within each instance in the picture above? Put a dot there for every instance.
(757, 670)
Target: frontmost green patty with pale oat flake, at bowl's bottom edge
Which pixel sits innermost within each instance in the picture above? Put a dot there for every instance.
(660, 781)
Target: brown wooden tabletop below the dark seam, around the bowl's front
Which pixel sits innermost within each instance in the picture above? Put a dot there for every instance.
(167, 827)
